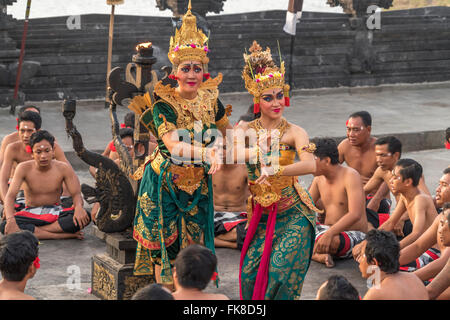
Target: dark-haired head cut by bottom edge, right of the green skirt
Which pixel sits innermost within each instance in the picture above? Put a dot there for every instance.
(337, 288)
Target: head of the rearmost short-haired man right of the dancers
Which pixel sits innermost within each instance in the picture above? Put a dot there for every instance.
(359, 127)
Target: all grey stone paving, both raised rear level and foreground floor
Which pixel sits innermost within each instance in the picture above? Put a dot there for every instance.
(320, 112)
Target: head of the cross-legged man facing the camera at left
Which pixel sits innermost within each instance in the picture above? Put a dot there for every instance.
(42, 143)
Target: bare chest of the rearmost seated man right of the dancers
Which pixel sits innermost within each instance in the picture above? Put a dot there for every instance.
(360, 158)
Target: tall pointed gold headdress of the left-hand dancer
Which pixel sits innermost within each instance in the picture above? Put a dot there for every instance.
(189, 43)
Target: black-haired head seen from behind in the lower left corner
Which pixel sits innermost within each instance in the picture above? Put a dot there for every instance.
(18, 251)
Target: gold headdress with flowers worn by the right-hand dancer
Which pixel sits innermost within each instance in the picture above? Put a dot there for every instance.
(260, 73)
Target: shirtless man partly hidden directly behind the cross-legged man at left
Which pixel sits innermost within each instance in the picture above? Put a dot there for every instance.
(20, 151)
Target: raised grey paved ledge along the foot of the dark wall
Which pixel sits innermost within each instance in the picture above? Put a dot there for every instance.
(321, 112)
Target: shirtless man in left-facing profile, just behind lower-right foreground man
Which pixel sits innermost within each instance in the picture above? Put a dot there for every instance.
(419, 205)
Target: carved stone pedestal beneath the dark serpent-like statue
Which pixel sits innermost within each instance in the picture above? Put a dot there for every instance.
(112, 273)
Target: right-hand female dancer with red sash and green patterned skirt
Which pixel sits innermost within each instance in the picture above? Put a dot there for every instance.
(280, 238)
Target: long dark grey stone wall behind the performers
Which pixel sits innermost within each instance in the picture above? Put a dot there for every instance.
(413, 46)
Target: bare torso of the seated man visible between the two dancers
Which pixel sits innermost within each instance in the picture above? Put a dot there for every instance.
(230, 188)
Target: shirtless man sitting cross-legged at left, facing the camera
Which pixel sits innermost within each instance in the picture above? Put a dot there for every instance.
(43, 178)
